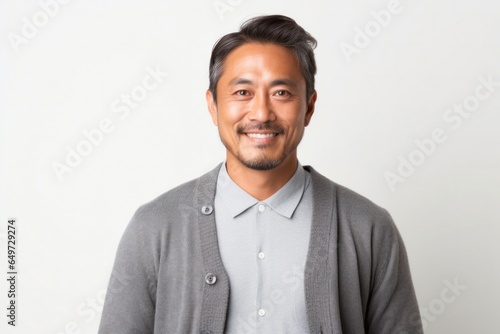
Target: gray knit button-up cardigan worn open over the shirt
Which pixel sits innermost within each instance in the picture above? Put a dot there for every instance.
(168, 275)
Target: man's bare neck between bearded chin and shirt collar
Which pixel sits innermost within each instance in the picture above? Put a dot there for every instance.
(261, 184)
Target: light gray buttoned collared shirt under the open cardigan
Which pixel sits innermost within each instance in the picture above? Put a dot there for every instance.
(263, 246)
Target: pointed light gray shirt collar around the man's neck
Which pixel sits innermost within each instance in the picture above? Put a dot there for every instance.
(284, 201)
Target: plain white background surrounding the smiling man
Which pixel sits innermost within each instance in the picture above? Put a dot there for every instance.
(372, 107)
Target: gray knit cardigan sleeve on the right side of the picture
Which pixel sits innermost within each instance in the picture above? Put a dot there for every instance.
(392, 306)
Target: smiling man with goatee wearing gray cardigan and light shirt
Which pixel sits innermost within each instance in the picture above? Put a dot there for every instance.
(261, 243)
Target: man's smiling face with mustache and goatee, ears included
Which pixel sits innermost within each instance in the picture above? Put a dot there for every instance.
(262, 107)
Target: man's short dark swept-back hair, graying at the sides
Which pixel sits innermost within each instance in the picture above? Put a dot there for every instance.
(277, 29)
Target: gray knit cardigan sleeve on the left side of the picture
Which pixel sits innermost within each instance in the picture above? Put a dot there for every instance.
(129, 306)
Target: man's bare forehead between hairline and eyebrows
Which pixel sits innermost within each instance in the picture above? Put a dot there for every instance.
(262, 60)
